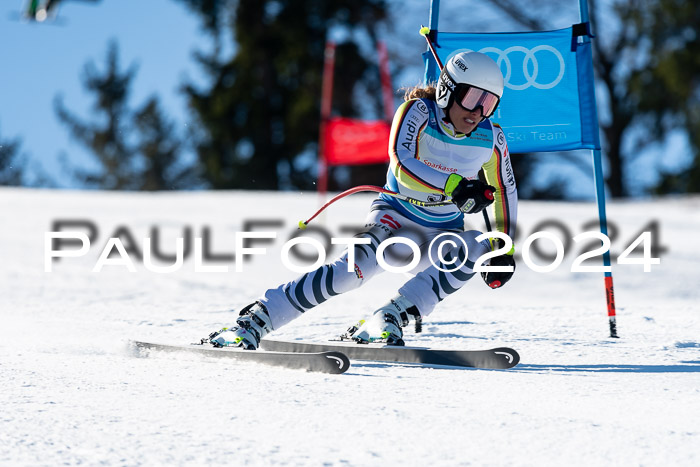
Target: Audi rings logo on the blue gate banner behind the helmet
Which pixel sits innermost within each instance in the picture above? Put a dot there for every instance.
(512, 57)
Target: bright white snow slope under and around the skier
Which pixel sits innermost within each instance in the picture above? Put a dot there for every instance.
(71, 391)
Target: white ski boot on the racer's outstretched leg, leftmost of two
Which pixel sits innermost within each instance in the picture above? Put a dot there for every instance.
(252, 325)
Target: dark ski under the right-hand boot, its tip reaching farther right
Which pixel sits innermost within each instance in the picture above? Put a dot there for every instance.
(498, 358)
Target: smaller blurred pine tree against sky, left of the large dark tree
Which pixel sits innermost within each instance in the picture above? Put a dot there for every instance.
(136, 150)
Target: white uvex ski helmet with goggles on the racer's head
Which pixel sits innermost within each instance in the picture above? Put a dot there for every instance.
(470, 70)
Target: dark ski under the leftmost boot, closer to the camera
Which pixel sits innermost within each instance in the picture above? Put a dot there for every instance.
(325, 361)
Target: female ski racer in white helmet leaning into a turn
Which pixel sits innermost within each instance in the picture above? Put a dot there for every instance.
(441, 141)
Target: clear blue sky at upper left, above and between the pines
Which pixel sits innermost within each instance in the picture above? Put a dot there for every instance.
(39, 61)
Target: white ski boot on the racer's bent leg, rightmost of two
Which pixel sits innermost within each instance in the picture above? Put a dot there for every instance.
(386, 323)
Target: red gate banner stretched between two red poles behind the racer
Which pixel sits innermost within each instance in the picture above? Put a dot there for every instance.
(356, 142)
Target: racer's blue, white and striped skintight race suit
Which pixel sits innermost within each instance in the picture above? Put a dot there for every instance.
(424, 149)
